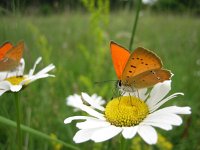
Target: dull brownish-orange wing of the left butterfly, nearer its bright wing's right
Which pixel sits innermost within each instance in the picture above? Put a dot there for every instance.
(12, 57)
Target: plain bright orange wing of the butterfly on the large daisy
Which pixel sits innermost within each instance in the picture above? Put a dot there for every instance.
(120, 57)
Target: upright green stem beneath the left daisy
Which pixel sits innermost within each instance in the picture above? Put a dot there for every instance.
(17, 103)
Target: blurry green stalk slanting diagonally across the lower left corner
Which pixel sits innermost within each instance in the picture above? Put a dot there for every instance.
(35, 132)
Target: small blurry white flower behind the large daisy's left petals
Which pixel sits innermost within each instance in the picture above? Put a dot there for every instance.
(76, 100)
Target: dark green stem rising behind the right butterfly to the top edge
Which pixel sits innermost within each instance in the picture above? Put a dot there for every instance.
(135, 24)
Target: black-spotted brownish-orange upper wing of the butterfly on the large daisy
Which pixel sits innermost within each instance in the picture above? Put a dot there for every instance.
(140, 61)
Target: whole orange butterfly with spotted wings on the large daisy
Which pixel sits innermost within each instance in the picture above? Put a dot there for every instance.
(139, 69)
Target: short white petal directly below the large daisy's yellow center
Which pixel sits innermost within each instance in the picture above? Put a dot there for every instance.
(129, 132)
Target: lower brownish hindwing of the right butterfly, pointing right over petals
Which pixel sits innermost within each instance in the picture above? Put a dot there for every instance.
(150, 78)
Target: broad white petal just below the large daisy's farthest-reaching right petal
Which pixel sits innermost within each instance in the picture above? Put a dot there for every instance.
(167, 118)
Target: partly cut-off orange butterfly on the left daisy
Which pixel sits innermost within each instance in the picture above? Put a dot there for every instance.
(10, 55)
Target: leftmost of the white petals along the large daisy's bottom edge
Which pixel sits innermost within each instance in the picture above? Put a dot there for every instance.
(83, 135)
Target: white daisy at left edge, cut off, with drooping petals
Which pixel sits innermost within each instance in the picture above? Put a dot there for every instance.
(15, 80)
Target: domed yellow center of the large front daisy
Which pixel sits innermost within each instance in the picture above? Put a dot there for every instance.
(126, 111)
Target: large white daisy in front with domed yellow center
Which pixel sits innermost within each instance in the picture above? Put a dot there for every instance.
(129, 115)
